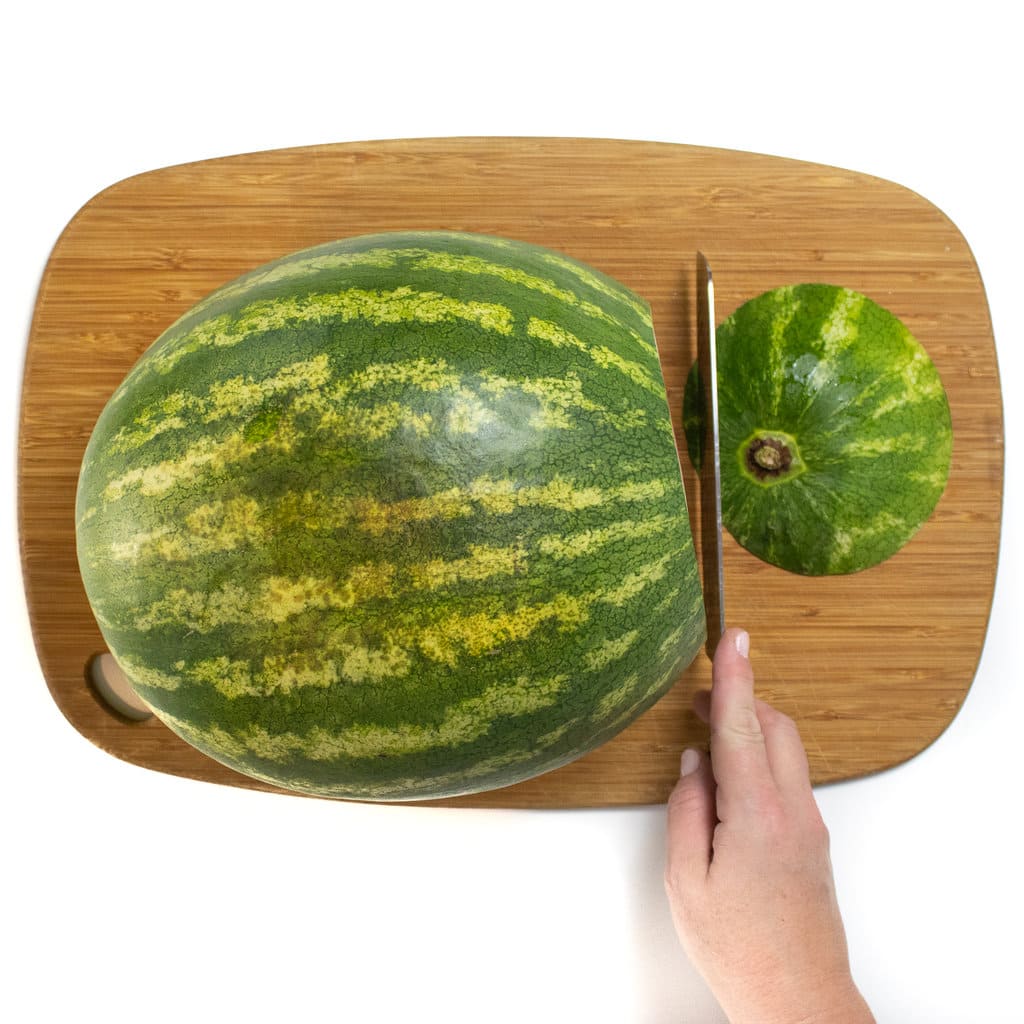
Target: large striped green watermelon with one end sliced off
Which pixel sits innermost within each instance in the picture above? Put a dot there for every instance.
(398, 518)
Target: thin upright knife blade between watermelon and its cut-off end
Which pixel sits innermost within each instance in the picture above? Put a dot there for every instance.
(711, 474)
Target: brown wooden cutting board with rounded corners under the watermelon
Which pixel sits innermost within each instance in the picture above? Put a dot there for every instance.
(873, 667)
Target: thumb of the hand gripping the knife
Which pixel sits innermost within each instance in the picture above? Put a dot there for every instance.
(692, 825)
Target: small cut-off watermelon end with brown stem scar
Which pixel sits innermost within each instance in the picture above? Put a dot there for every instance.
(835, 430)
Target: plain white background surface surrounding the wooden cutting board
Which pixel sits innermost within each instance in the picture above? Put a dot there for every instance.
(133, 897)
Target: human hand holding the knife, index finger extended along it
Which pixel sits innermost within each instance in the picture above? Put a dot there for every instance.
(748, 874)
